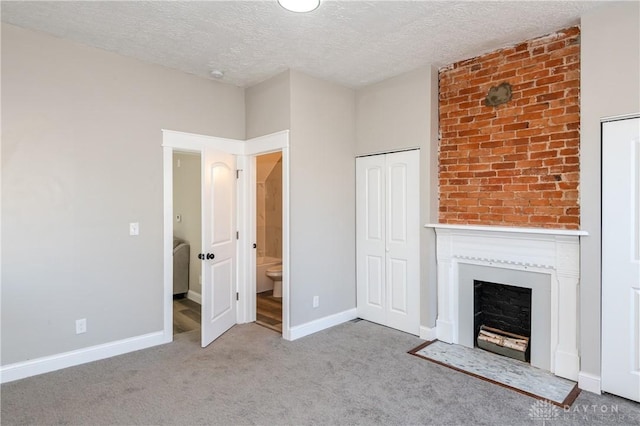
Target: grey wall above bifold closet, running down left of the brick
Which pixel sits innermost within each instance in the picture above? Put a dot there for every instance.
(400, 113)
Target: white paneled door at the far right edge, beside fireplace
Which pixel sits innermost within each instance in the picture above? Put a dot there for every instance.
(621, 258)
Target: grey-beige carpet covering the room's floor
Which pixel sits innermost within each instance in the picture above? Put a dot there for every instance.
(356, 373)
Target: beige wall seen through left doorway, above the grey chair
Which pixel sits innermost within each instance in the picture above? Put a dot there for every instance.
(187, 203)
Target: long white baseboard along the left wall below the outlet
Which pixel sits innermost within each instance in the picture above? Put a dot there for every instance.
(21, 370)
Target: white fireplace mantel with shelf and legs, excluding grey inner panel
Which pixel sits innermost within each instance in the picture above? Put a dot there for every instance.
(555, 252)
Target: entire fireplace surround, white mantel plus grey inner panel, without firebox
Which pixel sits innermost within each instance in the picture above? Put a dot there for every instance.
(545, 260)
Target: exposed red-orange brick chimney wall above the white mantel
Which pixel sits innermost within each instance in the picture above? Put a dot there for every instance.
(516, 164)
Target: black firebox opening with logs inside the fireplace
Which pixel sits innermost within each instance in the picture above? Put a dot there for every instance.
(503, 314)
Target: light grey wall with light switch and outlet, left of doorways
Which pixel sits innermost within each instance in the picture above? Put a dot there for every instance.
(81, 158)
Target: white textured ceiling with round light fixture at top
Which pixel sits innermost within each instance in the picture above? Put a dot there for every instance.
(353, 43)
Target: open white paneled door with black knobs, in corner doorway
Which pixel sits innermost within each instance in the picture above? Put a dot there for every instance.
(218, 244)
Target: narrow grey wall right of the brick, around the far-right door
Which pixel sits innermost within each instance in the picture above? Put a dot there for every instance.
(610, 86)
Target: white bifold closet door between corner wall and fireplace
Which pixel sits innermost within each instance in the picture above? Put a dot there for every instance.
(388, 239)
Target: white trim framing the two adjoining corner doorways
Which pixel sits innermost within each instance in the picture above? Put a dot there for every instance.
(244, 152)
